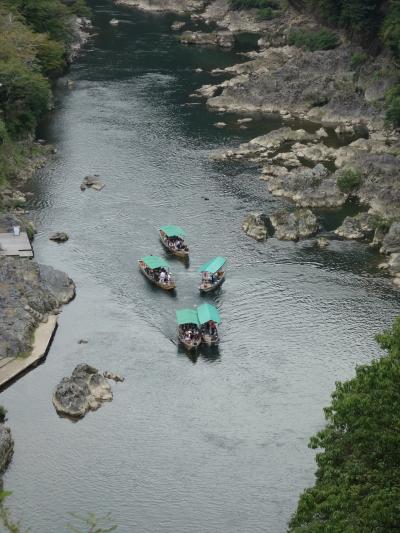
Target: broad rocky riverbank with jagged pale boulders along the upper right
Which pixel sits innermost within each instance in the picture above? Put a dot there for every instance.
(324, 88)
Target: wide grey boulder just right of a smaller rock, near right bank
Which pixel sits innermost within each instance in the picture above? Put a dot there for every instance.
(295, 225)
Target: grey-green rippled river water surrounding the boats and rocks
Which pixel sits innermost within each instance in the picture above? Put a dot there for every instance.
(213, 446)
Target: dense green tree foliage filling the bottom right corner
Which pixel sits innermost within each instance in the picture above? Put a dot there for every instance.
(358, 478)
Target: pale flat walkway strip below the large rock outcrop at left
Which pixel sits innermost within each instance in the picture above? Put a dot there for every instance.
(12, 367)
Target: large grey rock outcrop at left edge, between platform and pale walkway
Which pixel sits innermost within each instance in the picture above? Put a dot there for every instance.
(29, 292)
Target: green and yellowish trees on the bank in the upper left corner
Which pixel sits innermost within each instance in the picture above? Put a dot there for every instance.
(34, 36)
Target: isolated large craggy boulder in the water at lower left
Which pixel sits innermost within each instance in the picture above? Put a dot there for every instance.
(86, 389)
